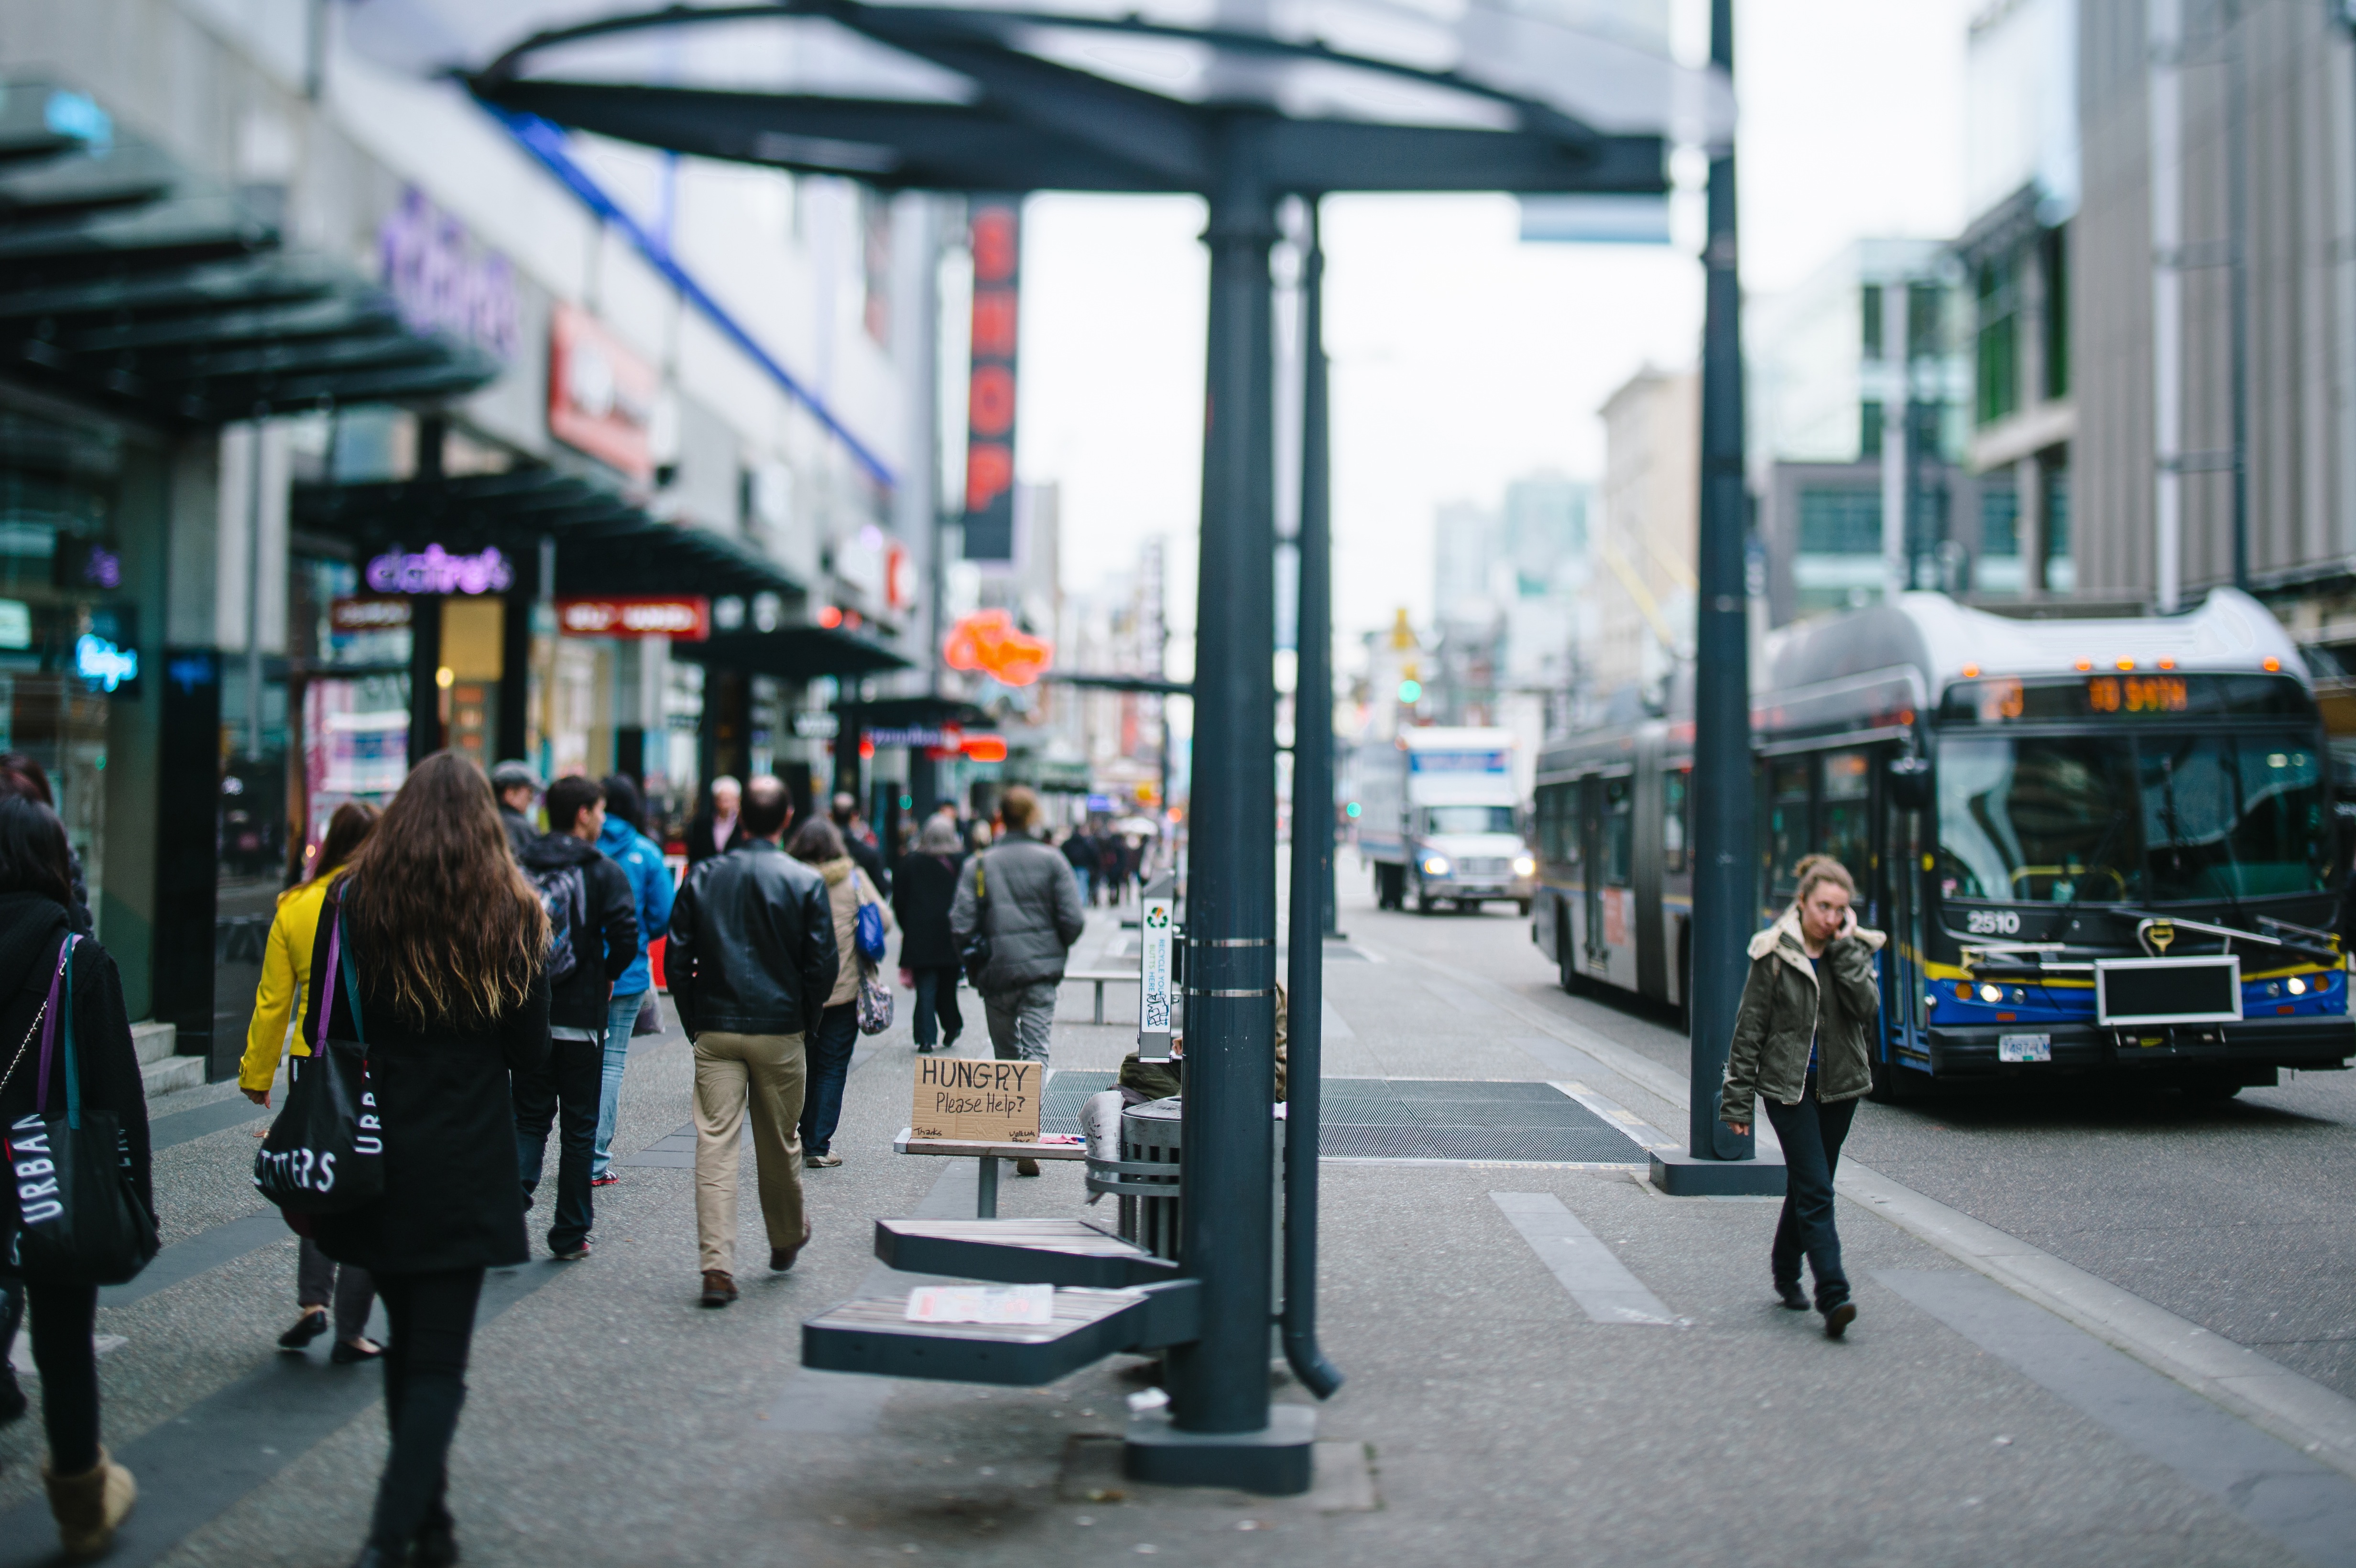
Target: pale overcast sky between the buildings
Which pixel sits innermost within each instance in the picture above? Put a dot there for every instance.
(1462, 357)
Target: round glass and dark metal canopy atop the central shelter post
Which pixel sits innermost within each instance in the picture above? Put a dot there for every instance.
(1085, 98)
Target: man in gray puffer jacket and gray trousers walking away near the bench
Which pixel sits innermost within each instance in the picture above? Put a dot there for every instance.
(1024, 898)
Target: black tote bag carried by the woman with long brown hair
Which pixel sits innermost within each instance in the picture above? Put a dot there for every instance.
(326, 1150)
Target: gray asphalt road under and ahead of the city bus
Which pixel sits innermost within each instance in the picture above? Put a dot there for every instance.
(2237, 1216)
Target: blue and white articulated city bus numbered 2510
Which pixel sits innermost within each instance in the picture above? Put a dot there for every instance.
(2098, 846)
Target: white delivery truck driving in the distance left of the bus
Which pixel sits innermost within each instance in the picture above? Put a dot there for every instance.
(1438, 820)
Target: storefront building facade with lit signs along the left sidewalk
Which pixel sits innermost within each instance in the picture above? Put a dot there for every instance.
(508, 441)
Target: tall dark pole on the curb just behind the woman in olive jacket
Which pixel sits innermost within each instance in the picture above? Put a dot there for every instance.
(1716, 1160)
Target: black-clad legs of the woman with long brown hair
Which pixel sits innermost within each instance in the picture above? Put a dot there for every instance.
(425, 1383)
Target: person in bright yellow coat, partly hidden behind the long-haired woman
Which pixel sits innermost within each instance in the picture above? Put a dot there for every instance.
(286, 978)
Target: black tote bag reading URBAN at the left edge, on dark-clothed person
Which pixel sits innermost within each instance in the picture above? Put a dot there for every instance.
(81, 1221)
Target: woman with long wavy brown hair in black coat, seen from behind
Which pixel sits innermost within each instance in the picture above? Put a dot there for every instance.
(444, 943)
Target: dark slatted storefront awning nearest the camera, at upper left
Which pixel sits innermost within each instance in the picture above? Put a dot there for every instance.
(135, 284)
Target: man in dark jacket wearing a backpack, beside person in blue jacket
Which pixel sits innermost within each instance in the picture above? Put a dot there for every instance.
(593, 943)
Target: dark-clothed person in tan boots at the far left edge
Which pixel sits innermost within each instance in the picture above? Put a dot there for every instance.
(88, 1491)
